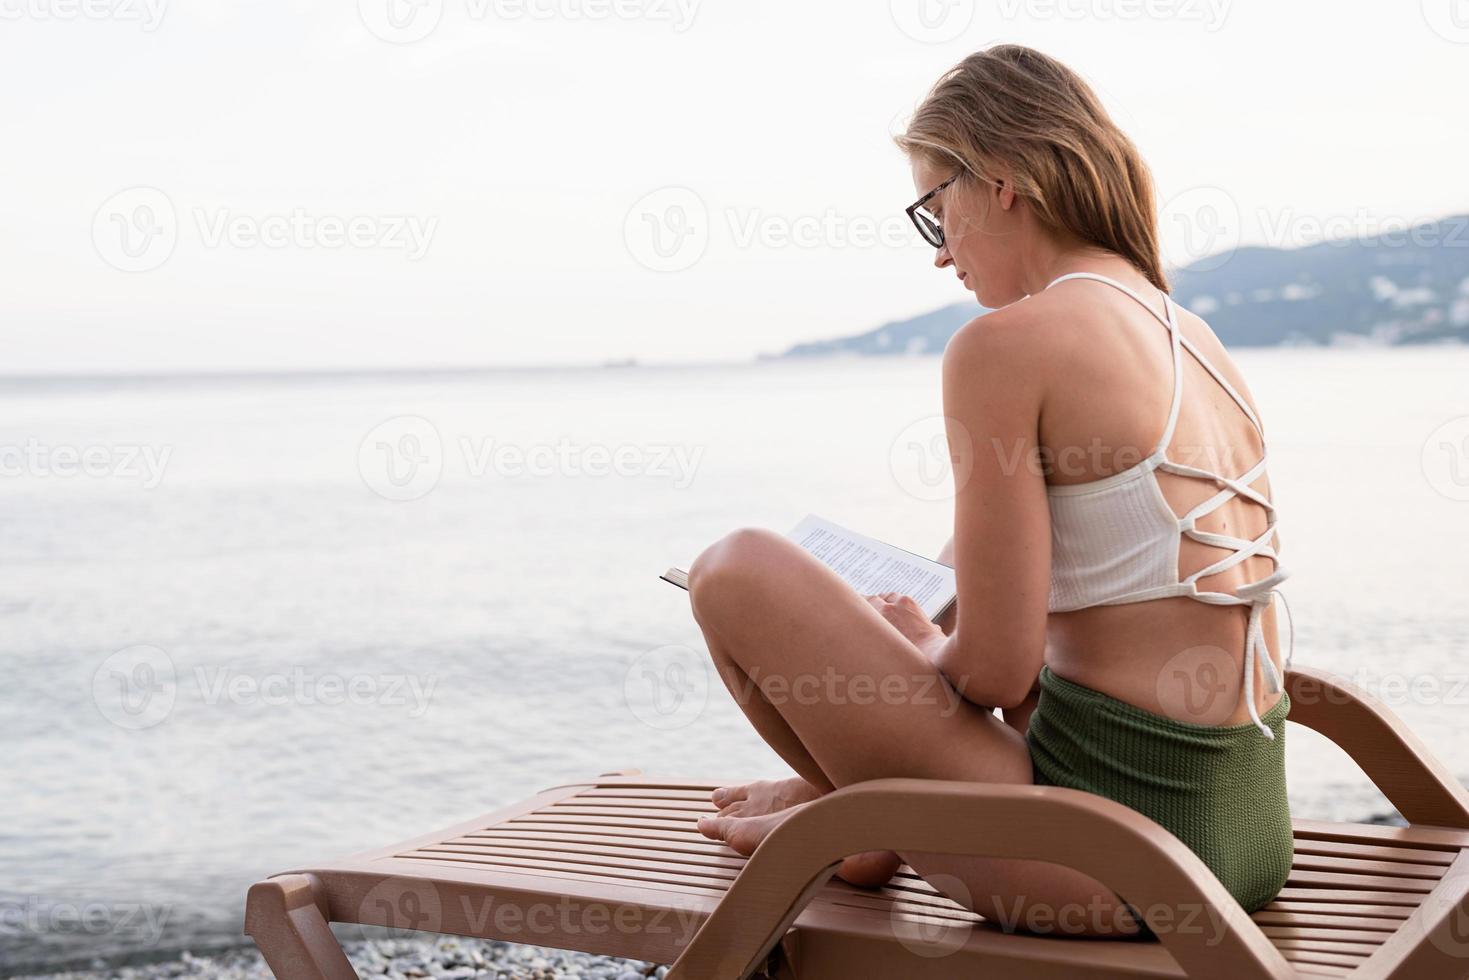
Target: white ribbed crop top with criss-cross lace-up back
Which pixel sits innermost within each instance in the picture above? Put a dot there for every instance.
(1117, 540)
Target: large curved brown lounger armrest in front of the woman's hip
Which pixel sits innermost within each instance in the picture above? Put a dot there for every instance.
(1138, 859)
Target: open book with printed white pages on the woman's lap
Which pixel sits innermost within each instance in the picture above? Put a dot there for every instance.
(869, 566)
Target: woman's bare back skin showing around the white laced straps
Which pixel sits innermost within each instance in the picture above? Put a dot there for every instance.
(1104, 412)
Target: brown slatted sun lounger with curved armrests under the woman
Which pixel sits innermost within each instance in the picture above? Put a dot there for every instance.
(616, 866)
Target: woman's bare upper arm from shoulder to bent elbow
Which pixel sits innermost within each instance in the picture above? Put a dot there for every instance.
(1001, 549)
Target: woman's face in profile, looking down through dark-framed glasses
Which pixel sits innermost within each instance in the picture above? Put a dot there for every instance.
(979, 233)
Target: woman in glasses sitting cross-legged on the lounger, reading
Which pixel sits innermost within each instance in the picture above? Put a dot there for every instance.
(1114, 536)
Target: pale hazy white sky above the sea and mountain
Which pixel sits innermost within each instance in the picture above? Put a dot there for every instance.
(217, 184)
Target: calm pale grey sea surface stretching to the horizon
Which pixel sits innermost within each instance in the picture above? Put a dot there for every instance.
(230, 650)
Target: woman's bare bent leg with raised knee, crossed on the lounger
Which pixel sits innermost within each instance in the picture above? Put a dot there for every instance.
(842, 697)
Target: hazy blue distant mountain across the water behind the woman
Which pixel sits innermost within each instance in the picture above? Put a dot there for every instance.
(1410, 287)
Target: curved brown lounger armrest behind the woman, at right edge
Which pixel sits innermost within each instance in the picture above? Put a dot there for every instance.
(1396, 760)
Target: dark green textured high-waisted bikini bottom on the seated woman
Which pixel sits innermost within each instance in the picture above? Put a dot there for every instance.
(1219, 790)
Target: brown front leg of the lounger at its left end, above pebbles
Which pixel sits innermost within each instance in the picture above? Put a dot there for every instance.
(289, 920)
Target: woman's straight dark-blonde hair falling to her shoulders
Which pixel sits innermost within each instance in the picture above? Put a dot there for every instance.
(1013, 109)
